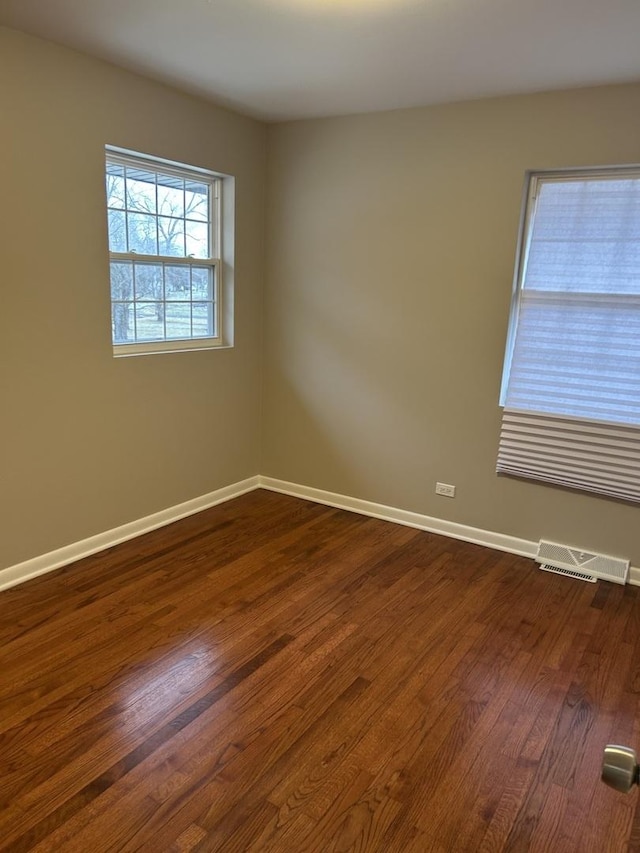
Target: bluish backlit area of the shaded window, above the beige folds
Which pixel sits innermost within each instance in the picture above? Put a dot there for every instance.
(575, 349)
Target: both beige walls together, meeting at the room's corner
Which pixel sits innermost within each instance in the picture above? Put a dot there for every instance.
(391, 240)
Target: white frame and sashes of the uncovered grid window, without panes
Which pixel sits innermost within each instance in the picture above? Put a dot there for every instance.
(214, 261)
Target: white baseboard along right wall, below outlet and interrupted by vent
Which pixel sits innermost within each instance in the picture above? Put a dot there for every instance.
(497, 541)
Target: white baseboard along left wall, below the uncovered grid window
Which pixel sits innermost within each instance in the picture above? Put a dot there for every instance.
(86, 547)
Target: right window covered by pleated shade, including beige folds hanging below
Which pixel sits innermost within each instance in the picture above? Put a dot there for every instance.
(571, 383)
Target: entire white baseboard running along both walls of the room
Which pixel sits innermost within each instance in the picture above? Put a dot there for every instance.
(70, 553)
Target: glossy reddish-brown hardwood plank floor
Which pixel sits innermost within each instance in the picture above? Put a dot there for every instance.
(274, 675)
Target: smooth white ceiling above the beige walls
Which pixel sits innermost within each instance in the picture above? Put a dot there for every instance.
(287, 59)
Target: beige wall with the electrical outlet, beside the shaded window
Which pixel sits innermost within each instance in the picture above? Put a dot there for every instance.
(391, 241)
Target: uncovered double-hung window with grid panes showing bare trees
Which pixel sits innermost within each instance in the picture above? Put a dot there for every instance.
(164, 248)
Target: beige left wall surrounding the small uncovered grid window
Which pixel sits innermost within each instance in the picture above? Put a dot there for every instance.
(89, 442)
